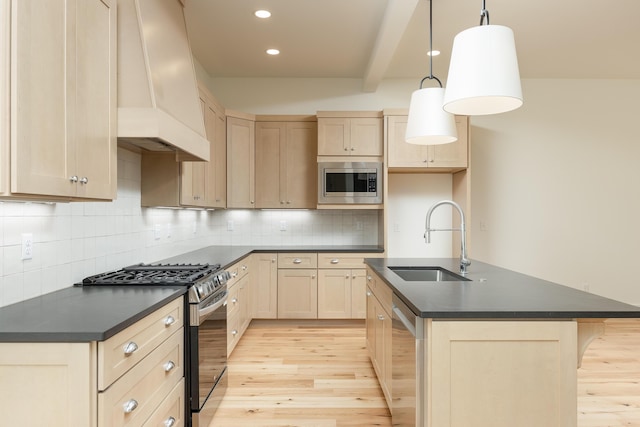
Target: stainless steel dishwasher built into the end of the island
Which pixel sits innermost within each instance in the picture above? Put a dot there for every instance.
(407, 366)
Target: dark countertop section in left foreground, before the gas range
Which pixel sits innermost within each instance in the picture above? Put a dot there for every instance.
(82, 314)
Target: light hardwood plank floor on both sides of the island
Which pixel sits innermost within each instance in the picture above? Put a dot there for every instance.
(283, 373)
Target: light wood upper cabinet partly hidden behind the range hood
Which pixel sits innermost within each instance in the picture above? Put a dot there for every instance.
(168, 183)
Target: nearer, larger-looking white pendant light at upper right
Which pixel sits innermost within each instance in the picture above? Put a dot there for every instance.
(483, 73)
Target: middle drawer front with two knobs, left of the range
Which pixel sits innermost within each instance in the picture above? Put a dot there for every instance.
(132, 399)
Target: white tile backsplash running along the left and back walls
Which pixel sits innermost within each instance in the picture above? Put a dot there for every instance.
(75, 240)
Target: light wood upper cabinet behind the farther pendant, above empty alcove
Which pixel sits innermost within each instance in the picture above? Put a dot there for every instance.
(436, 158)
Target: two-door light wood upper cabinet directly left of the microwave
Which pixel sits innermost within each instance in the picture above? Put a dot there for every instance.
(286, 170)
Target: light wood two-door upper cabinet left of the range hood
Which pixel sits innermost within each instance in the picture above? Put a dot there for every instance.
(60, 142)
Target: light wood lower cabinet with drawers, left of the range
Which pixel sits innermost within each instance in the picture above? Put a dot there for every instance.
(97, 384)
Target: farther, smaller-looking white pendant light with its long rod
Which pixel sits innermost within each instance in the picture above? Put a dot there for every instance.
(428, 123)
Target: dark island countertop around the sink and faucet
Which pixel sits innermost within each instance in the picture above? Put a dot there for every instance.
(494, 292)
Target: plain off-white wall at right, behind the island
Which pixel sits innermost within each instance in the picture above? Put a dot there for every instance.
(557, 185)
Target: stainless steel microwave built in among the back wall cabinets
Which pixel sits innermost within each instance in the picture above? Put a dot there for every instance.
(349, 183)
